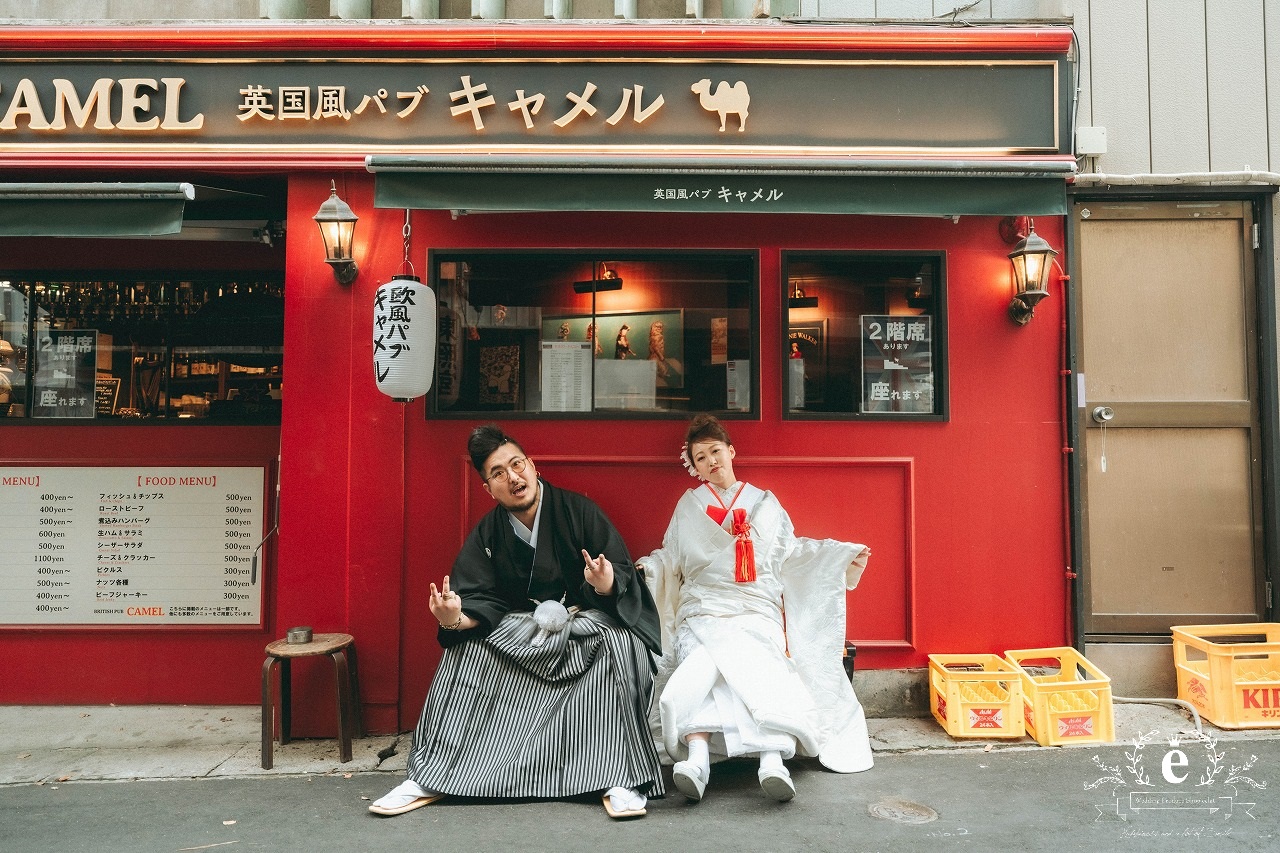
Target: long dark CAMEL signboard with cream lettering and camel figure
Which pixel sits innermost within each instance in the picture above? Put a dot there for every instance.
(413, 103)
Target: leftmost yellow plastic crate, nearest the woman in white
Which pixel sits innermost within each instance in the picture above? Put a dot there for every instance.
(976, 696)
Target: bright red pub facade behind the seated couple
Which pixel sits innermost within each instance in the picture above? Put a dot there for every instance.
(964, 504)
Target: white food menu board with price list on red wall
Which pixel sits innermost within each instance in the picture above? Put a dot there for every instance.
(130, 546)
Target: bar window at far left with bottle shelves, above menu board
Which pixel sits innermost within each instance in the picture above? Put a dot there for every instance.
(127, 348)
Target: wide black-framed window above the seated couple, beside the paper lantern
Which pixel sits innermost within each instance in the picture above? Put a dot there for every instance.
(595, 334)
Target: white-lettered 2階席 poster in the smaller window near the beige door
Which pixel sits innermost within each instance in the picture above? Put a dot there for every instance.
(898, 364)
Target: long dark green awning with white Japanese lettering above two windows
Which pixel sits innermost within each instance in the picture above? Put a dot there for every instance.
(691, 185)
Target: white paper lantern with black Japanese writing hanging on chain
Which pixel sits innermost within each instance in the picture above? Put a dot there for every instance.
(404, 339)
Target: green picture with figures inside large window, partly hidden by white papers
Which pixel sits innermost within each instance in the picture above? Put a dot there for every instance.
(644, 336)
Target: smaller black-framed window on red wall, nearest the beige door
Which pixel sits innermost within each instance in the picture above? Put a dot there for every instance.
(865, 336)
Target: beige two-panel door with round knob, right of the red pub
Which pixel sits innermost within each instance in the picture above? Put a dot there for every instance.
(1169, 416)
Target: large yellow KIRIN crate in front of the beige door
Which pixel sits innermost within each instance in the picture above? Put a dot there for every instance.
(1231, 673)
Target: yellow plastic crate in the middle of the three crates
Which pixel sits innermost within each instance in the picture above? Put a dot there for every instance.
(1067, 700)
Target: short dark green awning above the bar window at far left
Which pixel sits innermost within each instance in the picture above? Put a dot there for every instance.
(93, 209)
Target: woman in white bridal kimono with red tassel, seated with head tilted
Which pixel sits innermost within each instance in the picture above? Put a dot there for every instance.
(735, 678)
